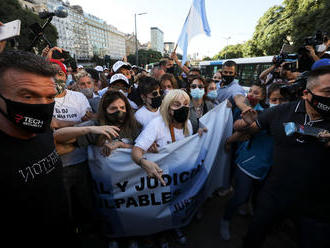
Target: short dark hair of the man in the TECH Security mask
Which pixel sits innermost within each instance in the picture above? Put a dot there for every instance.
(25, 62)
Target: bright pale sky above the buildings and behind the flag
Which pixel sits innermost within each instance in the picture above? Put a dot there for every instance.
(227, 18)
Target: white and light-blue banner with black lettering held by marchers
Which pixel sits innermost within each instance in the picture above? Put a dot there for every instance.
(132, 204)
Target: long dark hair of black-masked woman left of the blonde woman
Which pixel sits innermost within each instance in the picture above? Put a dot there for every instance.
(130, 128)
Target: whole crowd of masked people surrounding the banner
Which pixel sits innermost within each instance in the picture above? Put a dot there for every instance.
(50, 113)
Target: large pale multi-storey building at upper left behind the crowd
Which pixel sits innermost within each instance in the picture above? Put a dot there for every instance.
(80, 33)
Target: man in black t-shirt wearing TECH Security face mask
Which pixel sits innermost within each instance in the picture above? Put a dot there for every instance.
(34, 205)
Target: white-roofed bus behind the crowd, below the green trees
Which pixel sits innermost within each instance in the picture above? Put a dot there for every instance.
(248, 69)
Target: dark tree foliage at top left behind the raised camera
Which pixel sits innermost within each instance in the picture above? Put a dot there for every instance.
(11, 10)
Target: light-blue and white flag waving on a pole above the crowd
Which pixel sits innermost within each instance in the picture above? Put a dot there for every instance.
(196, 23)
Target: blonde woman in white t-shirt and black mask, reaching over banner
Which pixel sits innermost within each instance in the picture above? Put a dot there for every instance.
(172, 125)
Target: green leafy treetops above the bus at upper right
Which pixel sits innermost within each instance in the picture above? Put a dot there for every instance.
(288, 23)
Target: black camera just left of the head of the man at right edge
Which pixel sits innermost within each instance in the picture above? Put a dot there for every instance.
(295, 91)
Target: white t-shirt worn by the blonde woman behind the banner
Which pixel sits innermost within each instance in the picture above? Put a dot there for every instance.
(157, 131)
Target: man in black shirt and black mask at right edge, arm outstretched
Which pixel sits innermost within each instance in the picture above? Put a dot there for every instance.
(298, 185)
